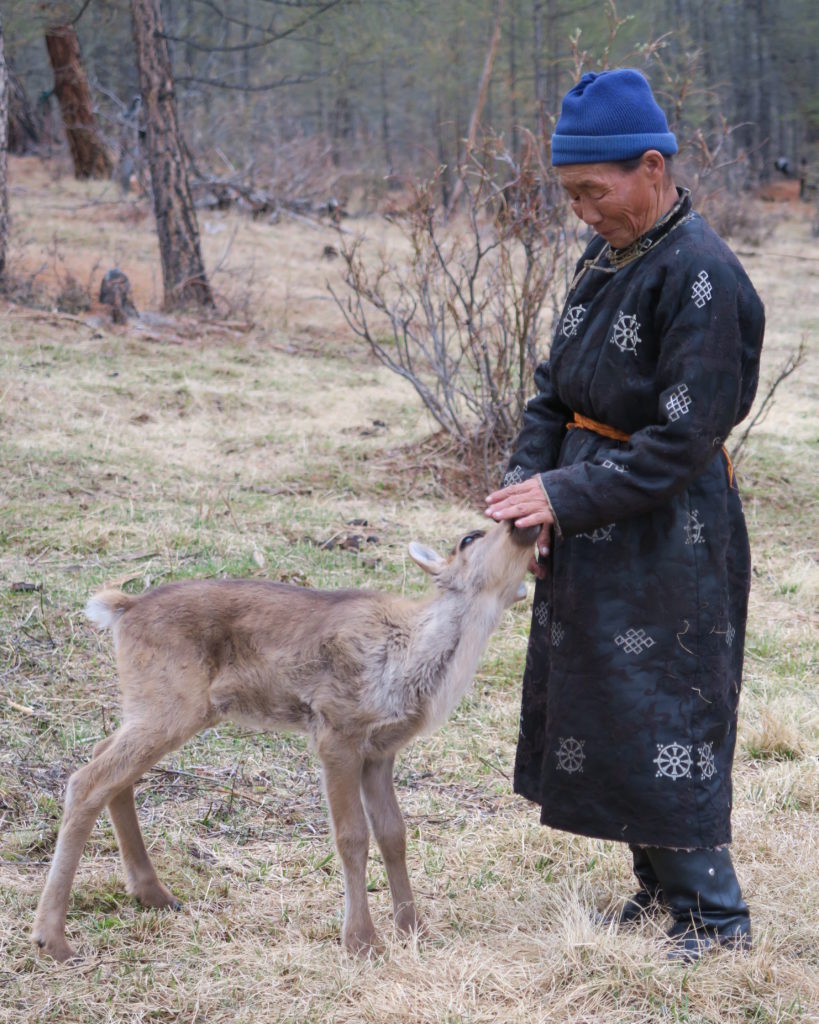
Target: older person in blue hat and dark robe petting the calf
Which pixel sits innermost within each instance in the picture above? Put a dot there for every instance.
(633, 674)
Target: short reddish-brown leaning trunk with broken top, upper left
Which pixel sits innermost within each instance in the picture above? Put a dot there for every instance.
(92, 159)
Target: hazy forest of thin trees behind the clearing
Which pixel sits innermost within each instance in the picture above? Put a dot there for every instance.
(378, 93)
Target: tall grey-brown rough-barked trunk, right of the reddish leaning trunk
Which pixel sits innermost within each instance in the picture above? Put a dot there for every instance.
(183, 269)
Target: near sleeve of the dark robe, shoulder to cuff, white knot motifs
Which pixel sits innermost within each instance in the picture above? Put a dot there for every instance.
(708, 320)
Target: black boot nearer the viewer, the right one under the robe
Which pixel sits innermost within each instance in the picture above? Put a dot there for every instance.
(703, 894)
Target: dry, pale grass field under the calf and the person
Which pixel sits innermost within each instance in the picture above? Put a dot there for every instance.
(151, 453)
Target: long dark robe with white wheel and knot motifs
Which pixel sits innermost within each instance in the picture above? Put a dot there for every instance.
(630, 695)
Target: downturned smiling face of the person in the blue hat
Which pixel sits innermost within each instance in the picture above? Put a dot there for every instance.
(620, 205)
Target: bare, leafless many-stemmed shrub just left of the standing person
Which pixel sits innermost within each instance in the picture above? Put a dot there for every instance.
(460, 318)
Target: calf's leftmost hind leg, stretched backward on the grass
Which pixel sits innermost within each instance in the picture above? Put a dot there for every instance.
(130, 753)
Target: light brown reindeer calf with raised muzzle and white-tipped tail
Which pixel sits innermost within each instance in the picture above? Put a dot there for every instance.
(361, 672)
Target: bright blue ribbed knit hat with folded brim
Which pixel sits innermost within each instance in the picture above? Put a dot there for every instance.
(611, 115)
